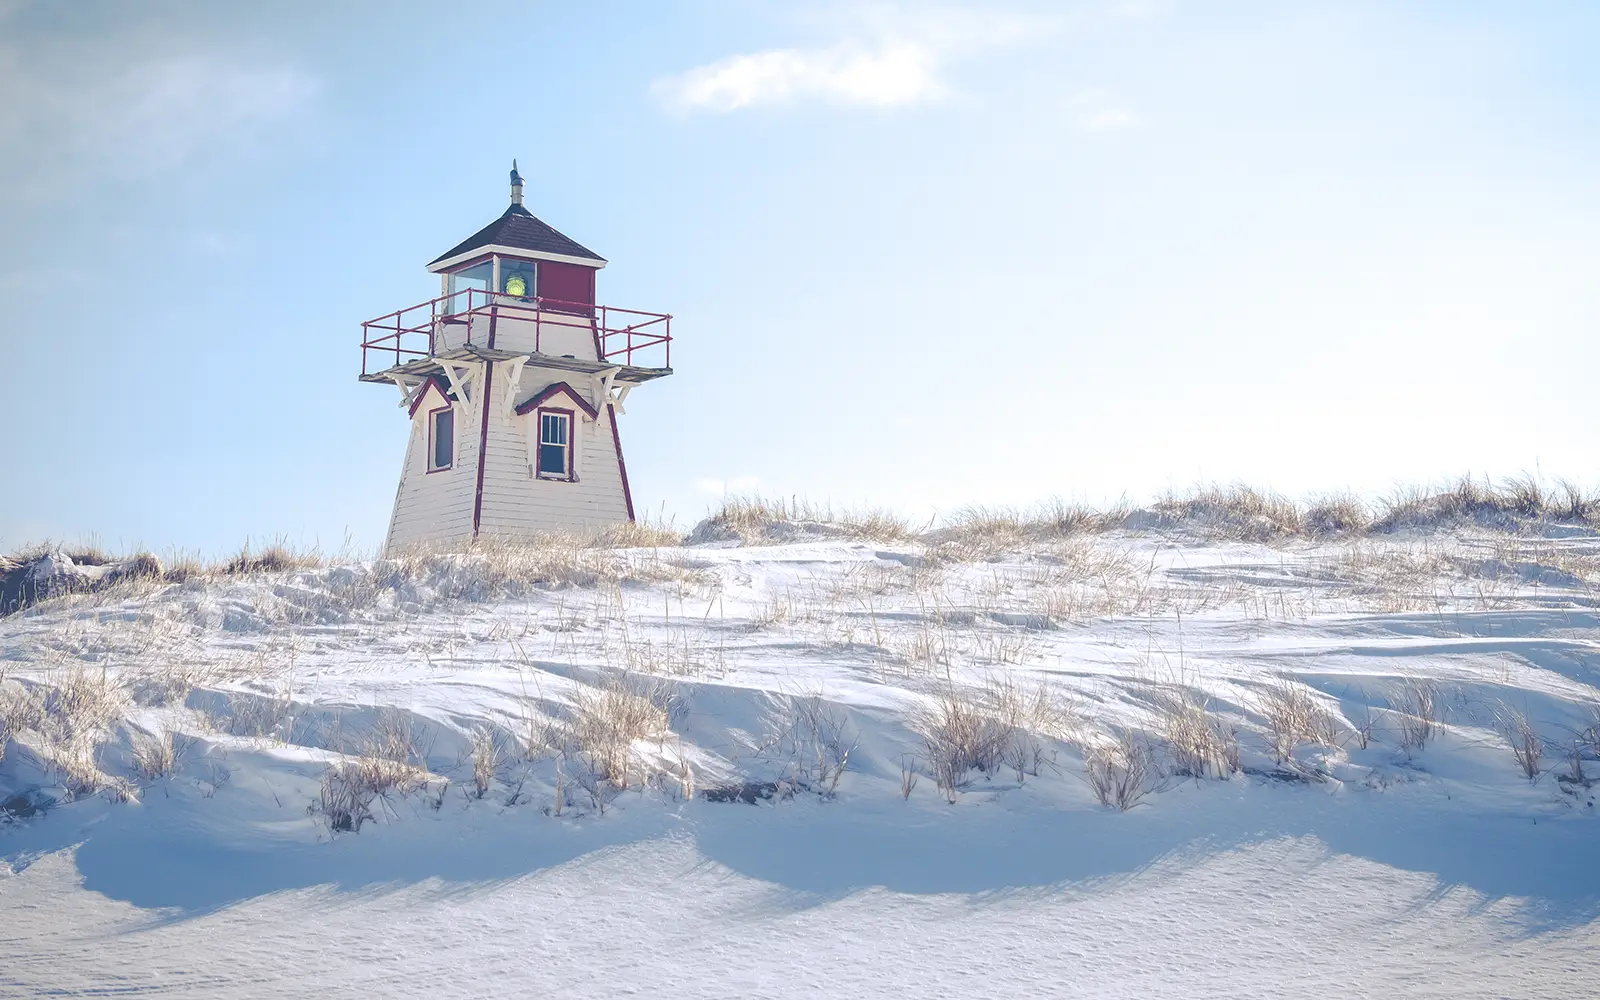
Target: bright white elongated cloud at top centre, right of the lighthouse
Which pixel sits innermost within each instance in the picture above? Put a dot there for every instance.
(900, 63)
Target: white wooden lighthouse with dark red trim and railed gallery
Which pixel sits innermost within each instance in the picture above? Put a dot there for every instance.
(513, 380)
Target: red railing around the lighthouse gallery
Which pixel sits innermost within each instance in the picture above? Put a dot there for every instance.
(418, 332)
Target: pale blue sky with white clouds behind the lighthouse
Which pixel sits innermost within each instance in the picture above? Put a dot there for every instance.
(918, 255)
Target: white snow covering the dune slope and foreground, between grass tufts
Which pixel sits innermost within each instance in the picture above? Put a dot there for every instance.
(1345, 873)
